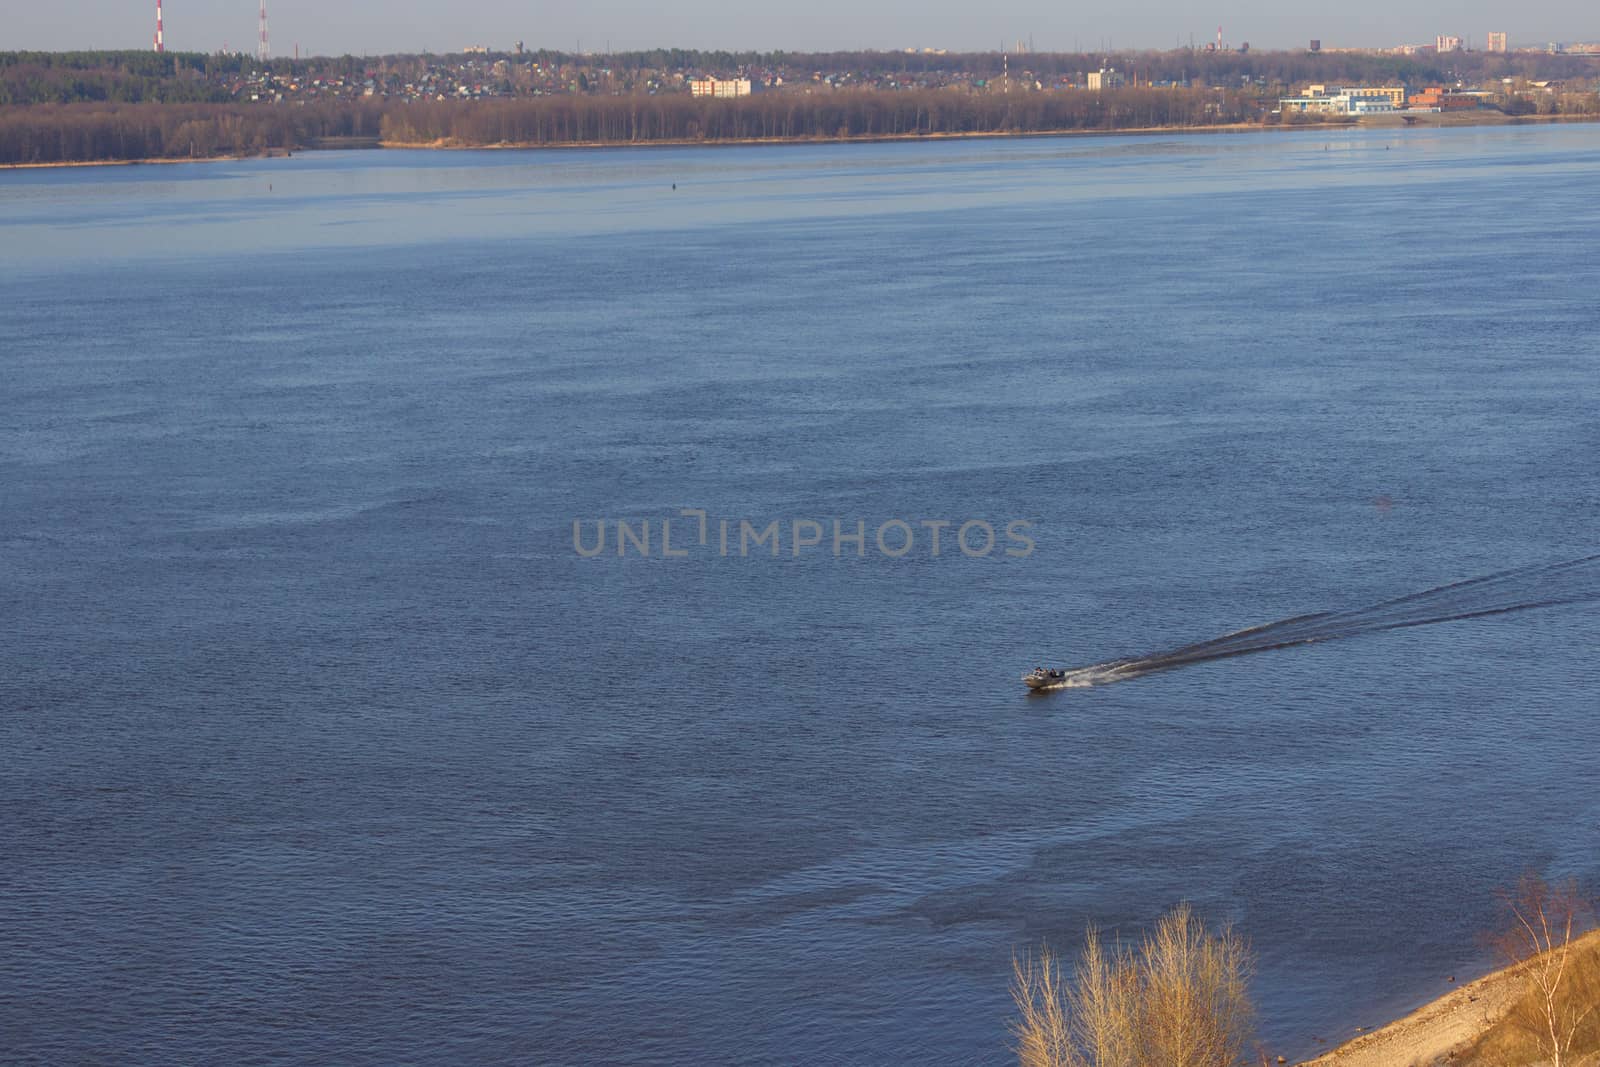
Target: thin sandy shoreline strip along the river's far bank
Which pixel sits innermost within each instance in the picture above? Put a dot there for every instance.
(1388, 122)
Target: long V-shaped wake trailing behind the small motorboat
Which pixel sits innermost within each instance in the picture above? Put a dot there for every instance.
(1538, 586)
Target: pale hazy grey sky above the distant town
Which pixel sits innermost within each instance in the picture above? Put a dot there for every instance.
(382, 26)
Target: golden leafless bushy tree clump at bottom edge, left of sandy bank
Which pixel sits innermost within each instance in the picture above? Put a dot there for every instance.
(1178, 1001)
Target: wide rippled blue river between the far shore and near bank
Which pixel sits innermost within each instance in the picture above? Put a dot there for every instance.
(324, 743)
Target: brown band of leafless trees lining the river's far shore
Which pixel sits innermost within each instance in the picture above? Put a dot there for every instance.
(58, 134)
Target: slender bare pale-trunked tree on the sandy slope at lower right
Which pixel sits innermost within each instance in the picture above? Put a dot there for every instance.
(1542, 925)
